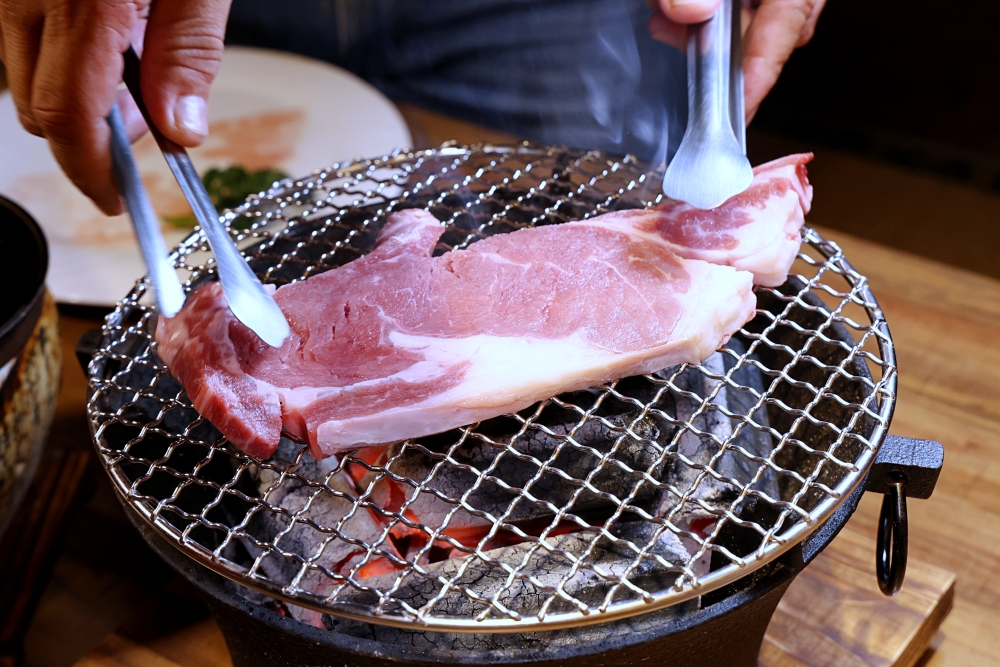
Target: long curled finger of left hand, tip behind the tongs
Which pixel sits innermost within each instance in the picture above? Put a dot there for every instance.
(76, 80)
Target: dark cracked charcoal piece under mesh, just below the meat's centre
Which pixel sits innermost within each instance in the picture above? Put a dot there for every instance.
(552, 484)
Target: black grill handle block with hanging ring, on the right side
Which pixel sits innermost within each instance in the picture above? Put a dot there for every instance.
(904, 467)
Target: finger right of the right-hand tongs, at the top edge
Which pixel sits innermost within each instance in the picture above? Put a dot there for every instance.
(773, 35)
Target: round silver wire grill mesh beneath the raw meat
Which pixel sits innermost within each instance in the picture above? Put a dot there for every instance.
(820, 344)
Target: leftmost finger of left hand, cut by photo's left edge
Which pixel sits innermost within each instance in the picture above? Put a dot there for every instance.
(21, 37)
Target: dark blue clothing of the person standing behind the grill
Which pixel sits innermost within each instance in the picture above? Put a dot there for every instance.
(581, 73)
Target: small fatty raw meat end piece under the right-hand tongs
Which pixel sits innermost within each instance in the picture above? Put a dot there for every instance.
(758, 230)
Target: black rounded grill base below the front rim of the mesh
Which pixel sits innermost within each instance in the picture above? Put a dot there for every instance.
(728, 633)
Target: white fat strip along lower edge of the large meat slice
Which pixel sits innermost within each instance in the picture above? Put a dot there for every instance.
(506, 374)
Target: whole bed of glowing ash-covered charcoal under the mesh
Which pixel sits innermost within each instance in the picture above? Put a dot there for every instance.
(586, 469)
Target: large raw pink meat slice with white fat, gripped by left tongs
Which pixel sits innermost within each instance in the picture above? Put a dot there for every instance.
(399, 344)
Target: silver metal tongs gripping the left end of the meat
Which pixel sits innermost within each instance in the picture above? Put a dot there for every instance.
(250, 302)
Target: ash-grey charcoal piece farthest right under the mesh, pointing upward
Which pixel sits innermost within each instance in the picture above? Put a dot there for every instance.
(733, 464)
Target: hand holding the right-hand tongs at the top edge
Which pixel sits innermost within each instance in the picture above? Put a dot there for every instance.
(772, 29)
